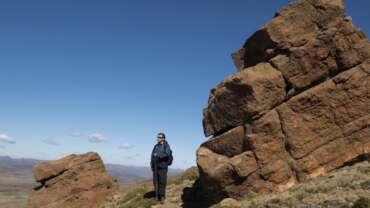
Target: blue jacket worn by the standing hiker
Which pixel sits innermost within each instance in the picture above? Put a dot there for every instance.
(160, 156)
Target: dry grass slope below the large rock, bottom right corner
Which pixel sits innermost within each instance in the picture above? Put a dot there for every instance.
(344, 188)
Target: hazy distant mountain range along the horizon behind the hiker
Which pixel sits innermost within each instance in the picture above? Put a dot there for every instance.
(123, 173)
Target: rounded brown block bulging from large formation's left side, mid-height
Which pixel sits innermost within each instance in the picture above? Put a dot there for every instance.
(241, 96)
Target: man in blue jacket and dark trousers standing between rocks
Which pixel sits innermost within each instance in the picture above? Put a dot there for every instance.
(160, 160)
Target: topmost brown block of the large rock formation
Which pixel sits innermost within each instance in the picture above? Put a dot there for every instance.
(307, 41)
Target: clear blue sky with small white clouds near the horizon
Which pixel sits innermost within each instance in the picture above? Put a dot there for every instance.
(107, 76)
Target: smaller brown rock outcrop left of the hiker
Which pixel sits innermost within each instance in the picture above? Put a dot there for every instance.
(75, 181)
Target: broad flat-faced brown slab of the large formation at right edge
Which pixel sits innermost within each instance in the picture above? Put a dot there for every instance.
(328, 125)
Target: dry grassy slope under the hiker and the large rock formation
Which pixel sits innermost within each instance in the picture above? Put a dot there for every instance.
(348, 187)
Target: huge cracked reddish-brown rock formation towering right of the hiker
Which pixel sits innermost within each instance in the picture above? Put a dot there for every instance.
(298, 107)
